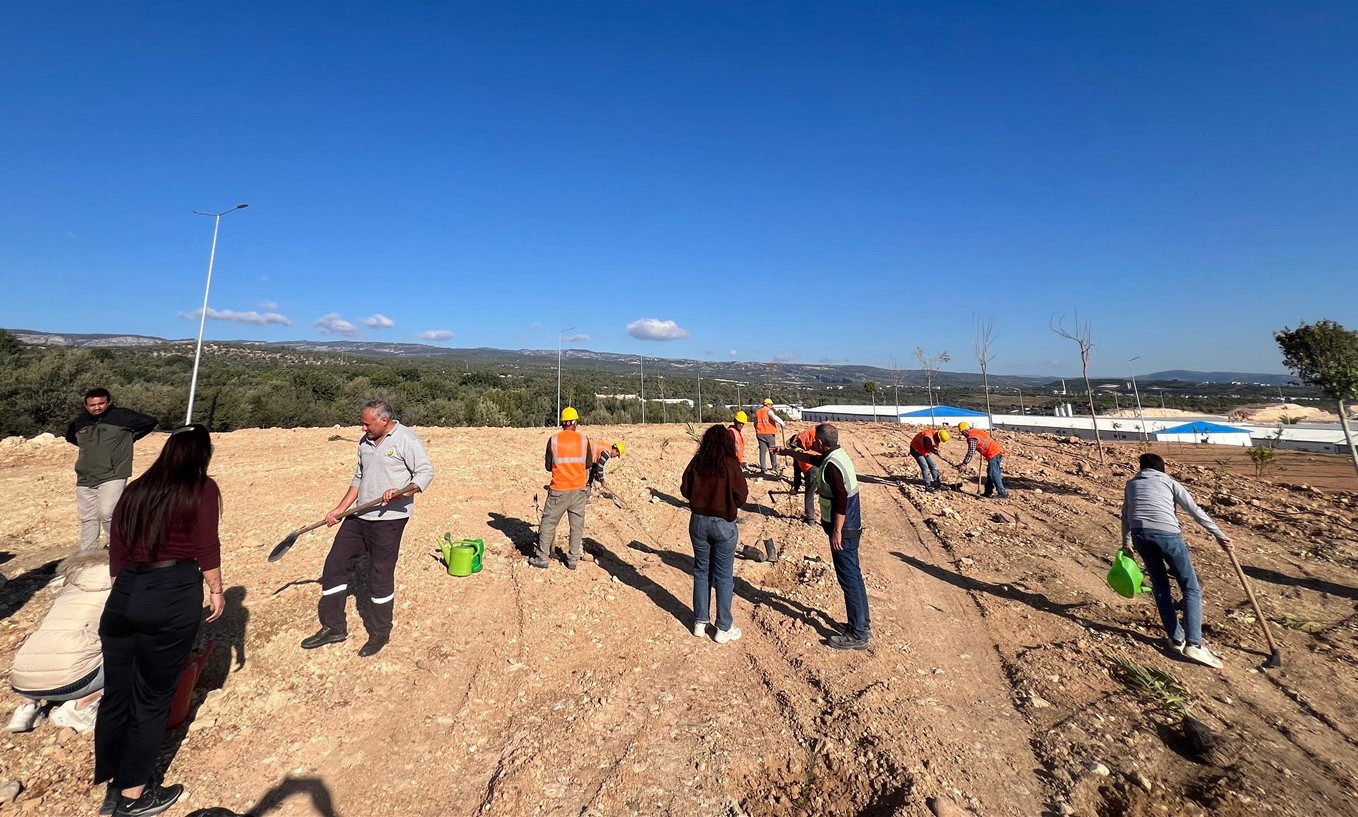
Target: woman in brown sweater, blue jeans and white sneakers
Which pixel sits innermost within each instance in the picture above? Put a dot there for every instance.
(716, 489)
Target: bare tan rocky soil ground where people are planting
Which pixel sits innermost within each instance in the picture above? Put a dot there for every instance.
(992, 681)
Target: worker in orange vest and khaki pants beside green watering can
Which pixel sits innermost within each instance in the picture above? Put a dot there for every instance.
(570, 458)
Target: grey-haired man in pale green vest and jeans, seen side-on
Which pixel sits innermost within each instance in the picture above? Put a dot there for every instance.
(841, 518)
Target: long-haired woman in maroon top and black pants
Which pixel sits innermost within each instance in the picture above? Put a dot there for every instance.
(164, 545)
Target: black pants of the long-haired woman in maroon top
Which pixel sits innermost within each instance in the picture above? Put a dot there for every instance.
(147, 630)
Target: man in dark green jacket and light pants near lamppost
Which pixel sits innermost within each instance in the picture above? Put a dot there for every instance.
(104, 435)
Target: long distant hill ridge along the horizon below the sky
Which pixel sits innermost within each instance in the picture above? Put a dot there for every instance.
(609, 362)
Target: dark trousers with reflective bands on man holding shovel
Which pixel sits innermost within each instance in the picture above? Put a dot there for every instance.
(381, 539)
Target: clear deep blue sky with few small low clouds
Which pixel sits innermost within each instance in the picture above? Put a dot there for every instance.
(782, 181)
